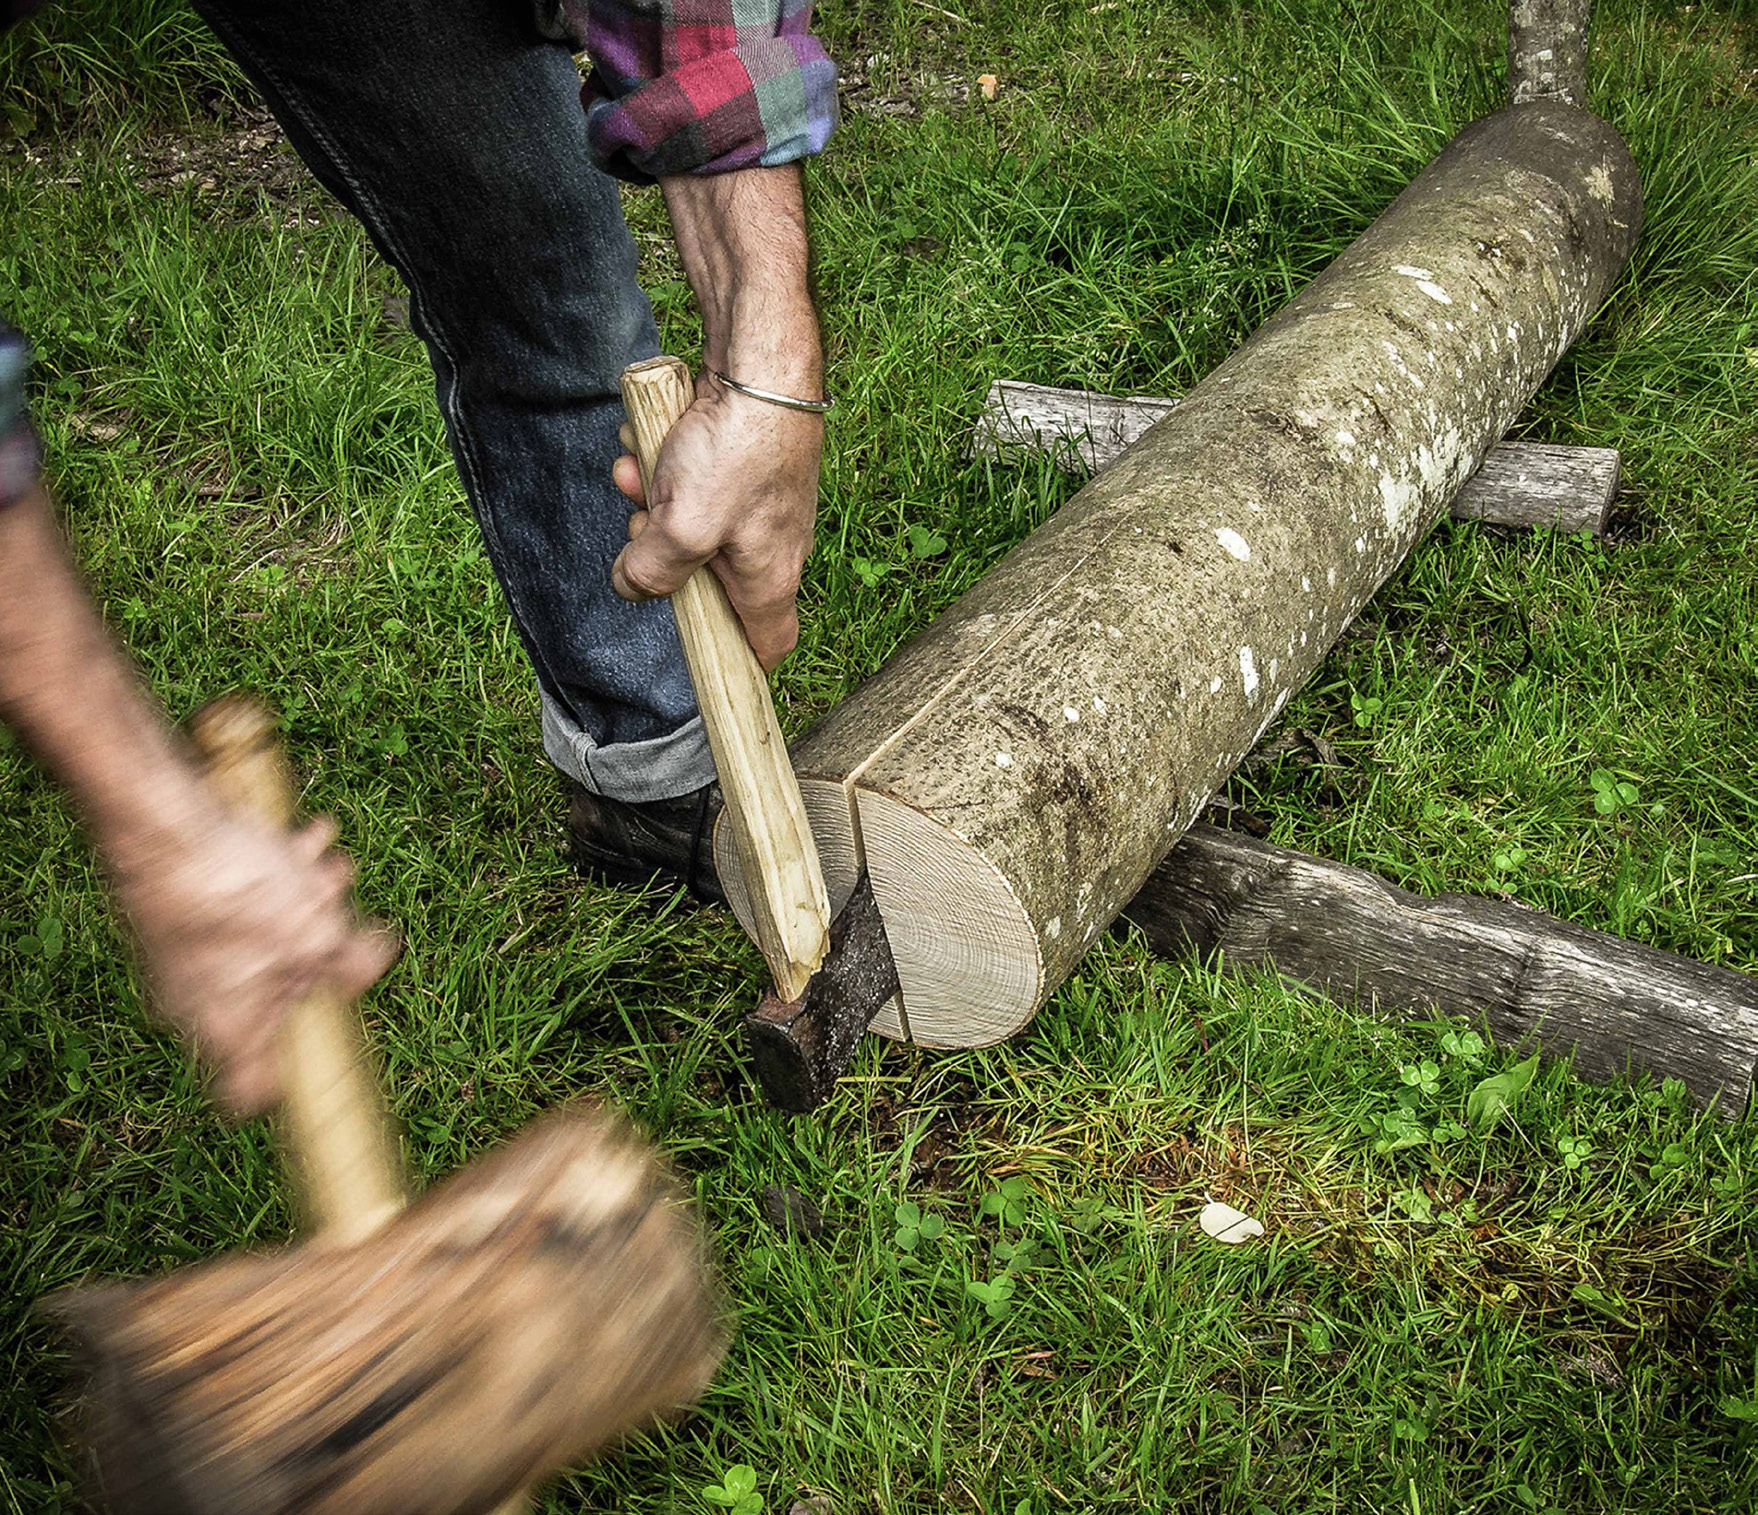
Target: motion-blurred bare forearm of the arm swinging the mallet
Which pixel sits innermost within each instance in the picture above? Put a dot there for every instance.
(71, 697)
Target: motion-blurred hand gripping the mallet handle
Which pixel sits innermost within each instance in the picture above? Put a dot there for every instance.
(236, 922)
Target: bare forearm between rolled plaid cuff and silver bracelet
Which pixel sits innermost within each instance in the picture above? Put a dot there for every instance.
(745, 247)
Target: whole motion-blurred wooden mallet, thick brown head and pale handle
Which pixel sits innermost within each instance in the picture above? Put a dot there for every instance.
(437, 1359)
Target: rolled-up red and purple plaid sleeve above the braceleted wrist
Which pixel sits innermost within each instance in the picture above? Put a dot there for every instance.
(701, 87)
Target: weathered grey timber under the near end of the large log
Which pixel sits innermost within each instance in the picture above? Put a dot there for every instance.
(1536, 982)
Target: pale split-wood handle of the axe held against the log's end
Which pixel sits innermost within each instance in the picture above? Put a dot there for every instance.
(778, 853)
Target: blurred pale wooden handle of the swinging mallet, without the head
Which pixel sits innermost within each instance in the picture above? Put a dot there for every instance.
(338, 1133)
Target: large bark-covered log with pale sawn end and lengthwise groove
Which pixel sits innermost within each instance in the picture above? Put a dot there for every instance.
(1013, 776)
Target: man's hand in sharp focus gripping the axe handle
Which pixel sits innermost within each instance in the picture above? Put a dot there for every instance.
(736, 488)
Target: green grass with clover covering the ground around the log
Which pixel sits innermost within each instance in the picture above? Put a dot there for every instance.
(259, 488)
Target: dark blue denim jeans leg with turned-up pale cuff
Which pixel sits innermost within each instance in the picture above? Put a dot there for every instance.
(454, 131)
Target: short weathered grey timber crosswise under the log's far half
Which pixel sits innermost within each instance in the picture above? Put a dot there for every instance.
(1520, 484)
